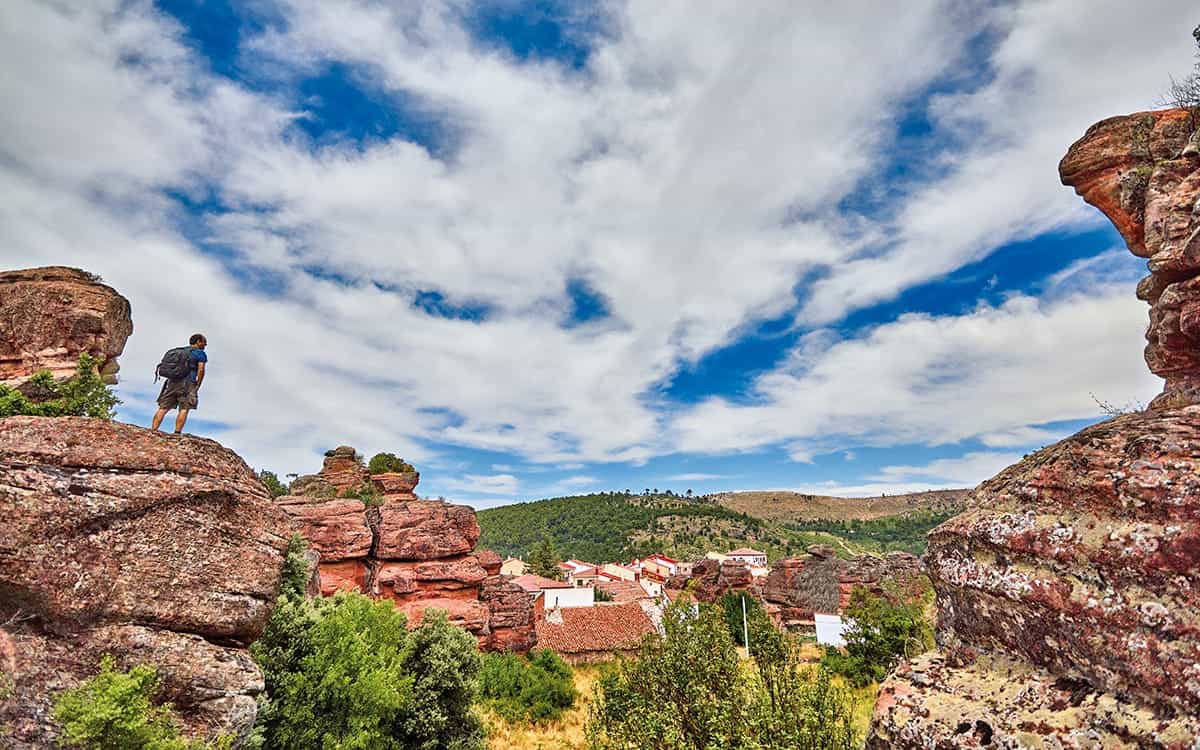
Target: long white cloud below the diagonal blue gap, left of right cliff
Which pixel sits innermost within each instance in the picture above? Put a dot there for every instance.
(940, 380)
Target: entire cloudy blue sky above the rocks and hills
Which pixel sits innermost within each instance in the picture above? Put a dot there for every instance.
(545, 248)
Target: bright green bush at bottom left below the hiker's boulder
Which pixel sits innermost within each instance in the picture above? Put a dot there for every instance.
(113, 711)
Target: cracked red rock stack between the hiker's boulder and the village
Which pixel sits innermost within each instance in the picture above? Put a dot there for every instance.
(419, 554)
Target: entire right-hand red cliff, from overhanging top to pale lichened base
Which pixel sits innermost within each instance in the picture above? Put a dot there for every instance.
(1069, 592)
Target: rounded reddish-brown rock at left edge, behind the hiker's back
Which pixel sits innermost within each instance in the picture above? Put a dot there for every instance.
(51, 316)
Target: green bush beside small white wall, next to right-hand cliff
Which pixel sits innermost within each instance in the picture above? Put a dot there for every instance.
(883, 631)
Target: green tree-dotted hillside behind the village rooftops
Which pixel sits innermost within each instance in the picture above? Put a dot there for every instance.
(617, 526)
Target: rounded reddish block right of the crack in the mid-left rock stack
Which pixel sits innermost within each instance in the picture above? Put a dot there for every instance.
(425, 530)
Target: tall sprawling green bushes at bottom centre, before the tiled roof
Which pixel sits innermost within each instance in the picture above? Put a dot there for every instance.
(687, 691)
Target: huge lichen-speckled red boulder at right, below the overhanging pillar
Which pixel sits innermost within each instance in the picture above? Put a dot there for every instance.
(1101, 531)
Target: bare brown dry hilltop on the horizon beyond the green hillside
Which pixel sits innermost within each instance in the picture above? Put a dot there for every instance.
(797, 507)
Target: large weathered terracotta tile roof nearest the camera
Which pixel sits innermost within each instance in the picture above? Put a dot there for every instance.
(603, 628)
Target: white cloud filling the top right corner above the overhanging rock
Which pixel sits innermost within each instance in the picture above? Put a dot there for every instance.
(1048, 86)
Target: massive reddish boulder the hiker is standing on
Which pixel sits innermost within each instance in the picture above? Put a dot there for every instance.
(152, 548)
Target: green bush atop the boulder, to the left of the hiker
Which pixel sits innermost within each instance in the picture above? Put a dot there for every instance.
(81, 395)
